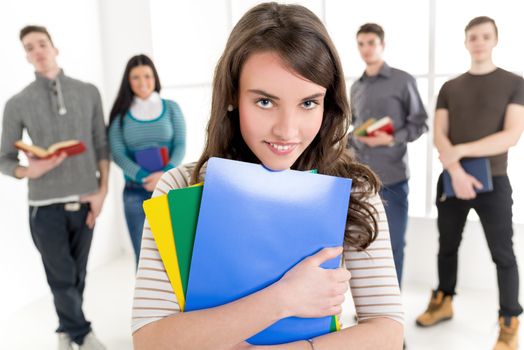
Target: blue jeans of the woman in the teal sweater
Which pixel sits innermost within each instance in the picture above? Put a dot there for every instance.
(134, 195)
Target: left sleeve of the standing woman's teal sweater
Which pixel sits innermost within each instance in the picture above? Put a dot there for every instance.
(120, 154)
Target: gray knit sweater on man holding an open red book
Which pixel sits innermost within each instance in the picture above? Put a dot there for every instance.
(36, 109)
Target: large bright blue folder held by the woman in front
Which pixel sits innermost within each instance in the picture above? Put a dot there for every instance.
(254, 225)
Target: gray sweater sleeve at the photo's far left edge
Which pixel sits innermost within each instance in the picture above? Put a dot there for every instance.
(12, 129)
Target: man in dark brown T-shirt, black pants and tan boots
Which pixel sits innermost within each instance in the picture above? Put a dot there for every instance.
(479, 114)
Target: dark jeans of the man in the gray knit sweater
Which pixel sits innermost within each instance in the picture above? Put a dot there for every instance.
(63, 240)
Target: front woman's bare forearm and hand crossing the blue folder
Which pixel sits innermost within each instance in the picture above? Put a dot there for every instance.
(307, 290)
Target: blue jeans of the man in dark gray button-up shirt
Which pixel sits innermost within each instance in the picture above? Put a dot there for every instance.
(395, 199)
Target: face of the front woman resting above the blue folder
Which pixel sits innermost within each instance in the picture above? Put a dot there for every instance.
(280, 111)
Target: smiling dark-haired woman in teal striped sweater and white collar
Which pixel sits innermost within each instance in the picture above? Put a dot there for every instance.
(141, 121)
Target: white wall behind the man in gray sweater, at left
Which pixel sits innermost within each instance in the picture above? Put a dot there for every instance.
(95, 39)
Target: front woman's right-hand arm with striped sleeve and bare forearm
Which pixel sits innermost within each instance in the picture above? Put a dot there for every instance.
(376, 294)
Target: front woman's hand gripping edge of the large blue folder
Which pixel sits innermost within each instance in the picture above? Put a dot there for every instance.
(309, 290)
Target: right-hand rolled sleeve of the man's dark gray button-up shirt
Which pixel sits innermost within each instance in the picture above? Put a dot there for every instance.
(416, 119)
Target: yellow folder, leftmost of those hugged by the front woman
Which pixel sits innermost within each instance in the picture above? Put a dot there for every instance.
(157, 213)
